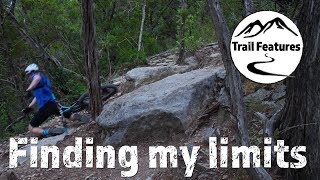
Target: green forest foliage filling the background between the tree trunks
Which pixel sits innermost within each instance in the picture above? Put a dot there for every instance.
(56, 25)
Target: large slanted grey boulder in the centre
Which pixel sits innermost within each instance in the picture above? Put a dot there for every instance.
(160, 108)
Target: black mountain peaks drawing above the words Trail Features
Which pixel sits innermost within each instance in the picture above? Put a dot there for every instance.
(264, 28)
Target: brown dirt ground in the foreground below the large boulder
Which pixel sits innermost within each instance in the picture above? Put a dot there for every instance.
(194, 136)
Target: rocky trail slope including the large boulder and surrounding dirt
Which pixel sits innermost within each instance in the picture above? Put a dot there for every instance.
(160, 105)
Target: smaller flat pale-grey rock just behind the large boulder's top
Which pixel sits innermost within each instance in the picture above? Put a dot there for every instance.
(146, 75)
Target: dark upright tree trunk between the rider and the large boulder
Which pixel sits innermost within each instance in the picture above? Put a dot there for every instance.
(89, 32)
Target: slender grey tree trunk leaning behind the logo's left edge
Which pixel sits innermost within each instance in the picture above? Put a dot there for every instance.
(234, 84)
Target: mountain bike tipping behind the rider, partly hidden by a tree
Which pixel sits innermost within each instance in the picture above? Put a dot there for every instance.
(107, 91)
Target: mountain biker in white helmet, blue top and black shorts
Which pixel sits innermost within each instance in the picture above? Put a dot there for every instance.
(43, 96)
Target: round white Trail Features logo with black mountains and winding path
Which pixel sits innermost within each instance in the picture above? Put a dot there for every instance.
(266, 47)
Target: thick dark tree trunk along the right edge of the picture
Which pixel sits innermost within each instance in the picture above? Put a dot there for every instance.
(301, 117)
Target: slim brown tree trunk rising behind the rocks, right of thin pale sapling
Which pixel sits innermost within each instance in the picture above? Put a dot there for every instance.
(182, 29)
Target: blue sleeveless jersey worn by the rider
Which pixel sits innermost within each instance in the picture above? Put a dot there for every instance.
(42, 91)
